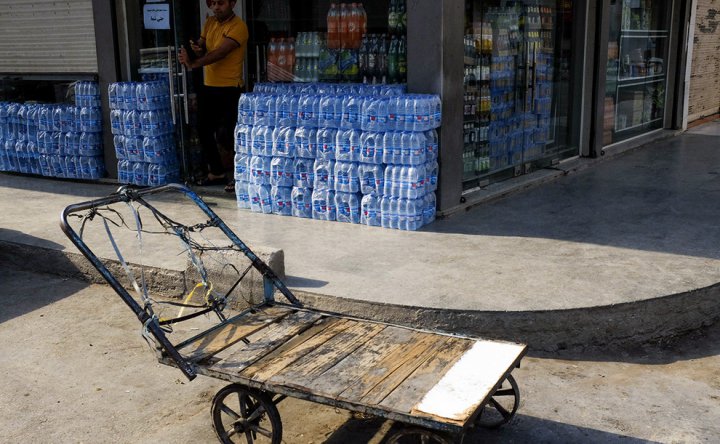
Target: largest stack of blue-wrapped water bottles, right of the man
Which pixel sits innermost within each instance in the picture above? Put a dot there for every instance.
(348, 152)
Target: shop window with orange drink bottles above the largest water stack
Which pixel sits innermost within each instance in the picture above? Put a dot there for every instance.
(327, 42)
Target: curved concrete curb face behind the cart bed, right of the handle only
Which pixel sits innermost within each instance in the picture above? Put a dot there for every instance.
(624, 324)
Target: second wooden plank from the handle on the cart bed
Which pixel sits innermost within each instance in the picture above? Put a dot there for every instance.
(235, 359)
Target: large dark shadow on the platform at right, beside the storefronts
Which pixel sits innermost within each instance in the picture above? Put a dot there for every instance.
(653, 199)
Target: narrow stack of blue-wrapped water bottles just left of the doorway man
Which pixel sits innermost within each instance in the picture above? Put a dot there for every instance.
(143, 133)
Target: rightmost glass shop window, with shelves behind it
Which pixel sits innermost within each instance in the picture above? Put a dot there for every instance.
(636, 68)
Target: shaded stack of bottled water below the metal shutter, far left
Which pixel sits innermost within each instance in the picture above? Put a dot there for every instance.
(55, 140)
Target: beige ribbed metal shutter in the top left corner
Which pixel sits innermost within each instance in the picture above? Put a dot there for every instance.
(47, 36)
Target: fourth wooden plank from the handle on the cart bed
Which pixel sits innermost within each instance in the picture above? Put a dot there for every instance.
(327, 355)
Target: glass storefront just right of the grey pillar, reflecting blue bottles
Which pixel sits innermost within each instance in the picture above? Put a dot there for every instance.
(517, 87)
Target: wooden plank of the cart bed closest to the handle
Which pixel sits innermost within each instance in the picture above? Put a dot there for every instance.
(223, 337)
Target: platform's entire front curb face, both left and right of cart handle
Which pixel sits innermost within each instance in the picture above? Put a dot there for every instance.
(625, 324)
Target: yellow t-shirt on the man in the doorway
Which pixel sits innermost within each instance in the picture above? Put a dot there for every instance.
(228, 71)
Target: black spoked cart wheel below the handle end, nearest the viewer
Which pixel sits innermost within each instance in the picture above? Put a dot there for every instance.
(244, 415)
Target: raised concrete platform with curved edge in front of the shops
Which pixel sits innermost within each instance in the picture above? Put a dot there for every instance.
(625, 250)
